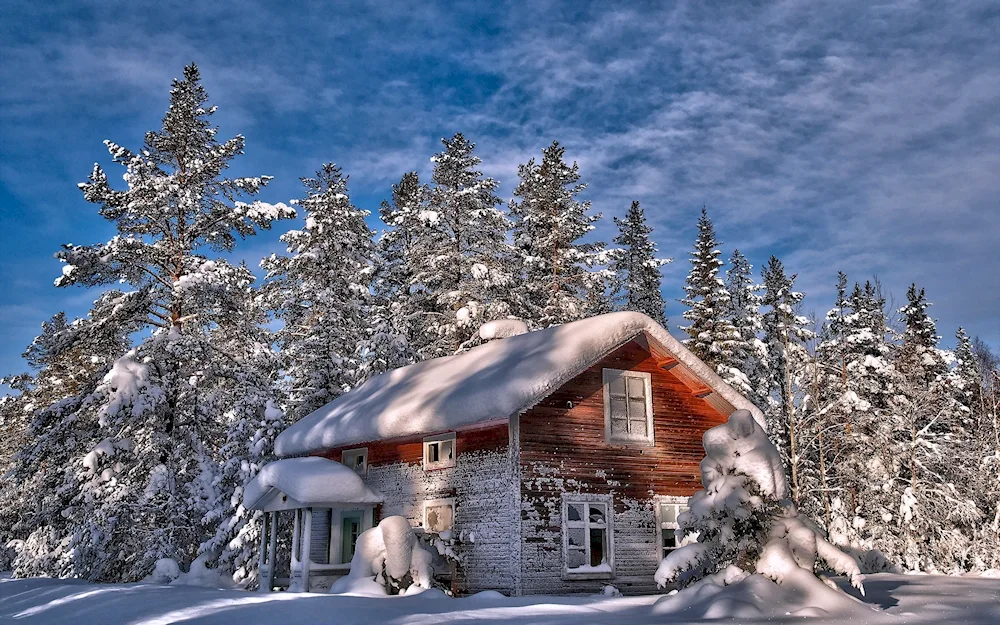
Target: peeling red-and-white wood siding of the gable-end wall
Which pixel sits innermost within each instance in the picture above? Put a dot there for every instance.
(563, 449)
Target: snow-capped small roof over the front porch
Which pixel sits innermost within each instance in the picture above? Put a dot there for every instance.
(307, 481)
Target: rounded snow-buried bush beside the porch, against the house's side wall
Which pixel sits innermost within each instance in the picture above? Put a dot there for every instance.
(388, 560)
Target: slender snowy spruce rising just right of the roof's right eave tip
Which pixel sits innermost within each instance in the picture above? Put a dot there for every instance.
(785, 334)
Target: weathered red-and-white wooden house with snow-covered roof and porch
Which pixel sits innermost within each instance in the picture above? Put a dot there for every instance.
(563, 456)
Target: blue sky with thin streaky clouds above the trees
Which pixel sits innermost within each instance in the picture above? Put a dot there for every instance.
(856, 136)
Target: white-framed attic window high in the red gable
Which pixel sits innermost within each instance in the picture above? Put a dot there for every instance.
(628, 407)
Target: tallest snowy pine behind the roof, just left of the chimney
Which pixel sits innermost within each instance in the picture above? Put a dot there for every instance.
(462, 259)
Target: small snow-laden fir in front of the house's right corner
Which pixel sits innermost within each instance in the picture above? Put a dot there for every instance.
(749, 532)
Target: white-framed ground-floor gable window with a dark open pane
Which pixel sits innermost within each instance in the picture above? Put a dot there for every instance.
(588, 543)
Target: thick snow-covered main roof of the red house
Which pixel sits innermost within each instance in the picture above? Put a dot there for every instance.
(493, 381)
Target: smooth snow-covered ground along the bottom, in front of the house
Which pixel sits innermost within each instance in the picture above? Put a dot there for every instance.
(901, 599)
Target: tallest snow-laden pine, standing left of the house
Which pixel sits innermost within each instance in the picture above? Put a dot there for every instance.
(148, 485)
